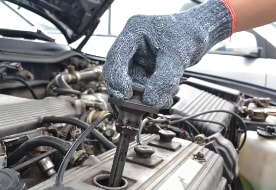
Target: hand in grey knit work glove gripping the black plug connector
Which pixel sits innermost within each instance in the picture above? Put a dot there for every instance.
(153, 51)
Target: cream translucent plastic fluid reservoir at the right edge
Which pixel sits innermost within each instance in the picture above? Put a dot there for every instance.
(257, 160)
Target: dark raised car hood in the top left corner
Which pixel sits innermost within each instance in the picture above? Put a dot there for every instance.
(74, 18)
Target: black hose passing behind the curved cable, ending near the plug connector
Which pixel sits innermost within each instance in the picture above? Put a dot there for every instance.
(96, 134)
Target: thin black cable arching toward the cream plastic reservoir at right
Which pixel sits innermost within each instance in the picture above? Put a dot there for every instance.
(213, 111)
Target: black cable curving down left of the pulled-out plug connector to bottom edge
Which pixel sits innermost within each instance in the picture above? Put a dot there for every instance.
(73, 148)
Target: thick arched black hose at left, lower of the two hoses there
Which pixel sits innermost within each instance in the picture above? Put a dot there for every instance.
(61, 145)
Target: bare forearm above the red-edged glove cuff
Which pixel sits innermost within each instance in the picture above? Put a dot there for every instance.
(253, 13)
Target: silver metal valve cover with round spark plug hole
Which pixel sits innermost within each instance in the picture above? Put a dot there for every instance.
(179, 164)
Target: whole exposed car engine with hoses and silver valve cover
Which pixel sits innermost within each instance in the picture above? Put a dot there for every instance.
(49, 98)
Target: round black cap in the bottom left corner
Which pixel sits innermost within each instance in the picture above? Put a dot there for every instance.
(10, 180)
